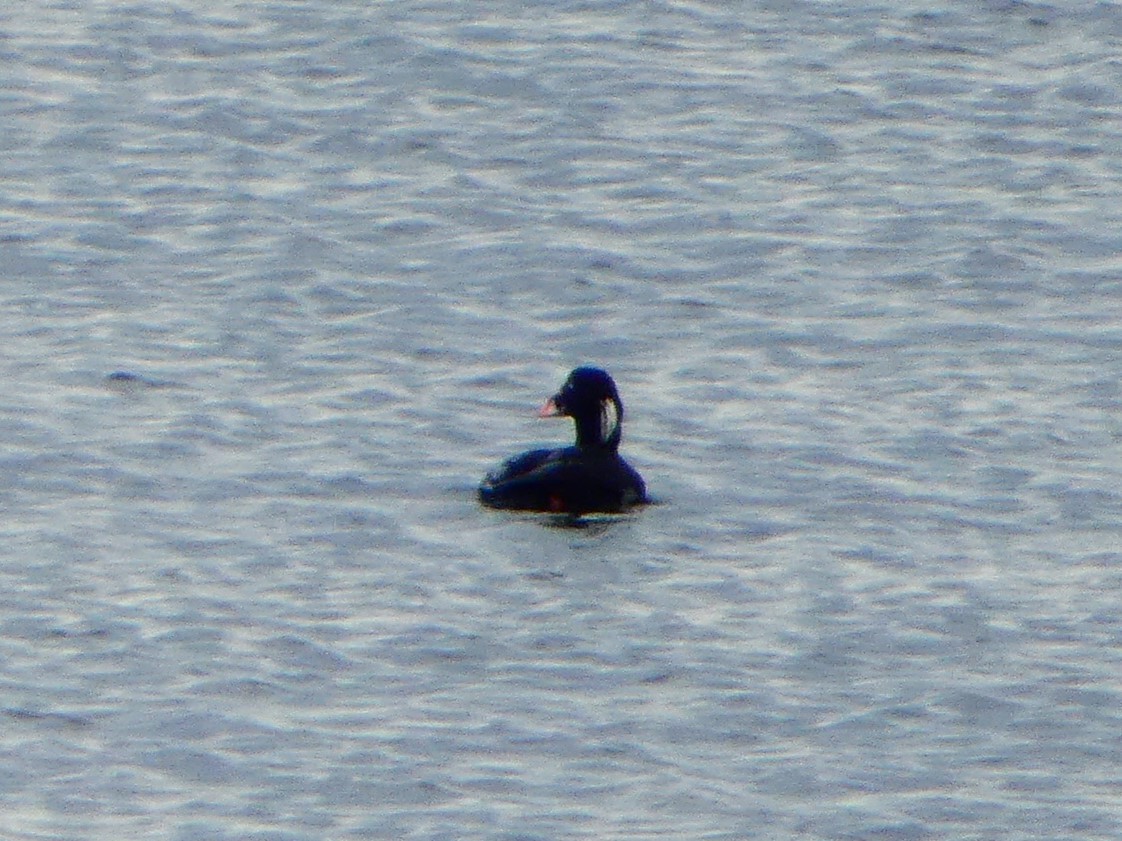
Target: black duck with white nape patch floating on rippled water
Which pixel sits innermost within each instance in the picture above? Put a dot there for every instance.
(585, 478)
